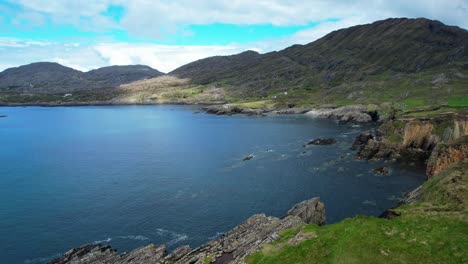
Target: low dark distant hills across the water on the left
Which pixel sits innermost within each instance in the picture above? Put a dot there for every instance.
(50, 77)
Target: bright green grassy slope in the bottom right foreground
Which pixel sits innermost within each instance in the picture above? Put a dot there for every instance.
(435, 230)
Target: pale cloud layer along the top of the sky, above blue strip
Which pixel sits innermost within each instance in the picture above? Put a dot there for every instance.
(146, 18)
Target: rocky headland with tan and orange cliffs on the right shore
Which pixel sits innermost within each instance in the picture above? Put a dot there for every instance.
(415, 140)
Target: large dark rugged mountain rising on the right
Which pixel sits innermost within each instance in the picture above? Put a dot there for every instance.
(392, 46)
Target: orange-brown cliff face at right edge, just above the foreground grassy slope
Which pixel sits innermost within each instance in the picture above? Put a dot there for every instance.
(446, 154)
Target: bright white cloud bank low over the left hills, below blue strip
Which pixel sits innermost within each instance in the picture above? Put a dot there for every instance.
(86, 57)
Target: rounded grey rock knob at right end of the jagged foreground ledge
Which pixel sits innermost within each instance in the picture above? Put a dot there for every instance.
(310, 211)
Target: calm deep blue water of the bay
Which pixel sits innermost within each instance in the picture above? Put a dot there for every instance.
(133, 175)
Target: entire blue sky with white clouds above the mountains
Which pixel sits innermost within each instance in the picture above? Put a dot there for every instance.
(88, 34)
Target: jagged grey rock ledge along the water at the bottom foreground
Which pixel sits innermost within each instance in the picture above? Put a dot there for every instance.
(232, 247)
